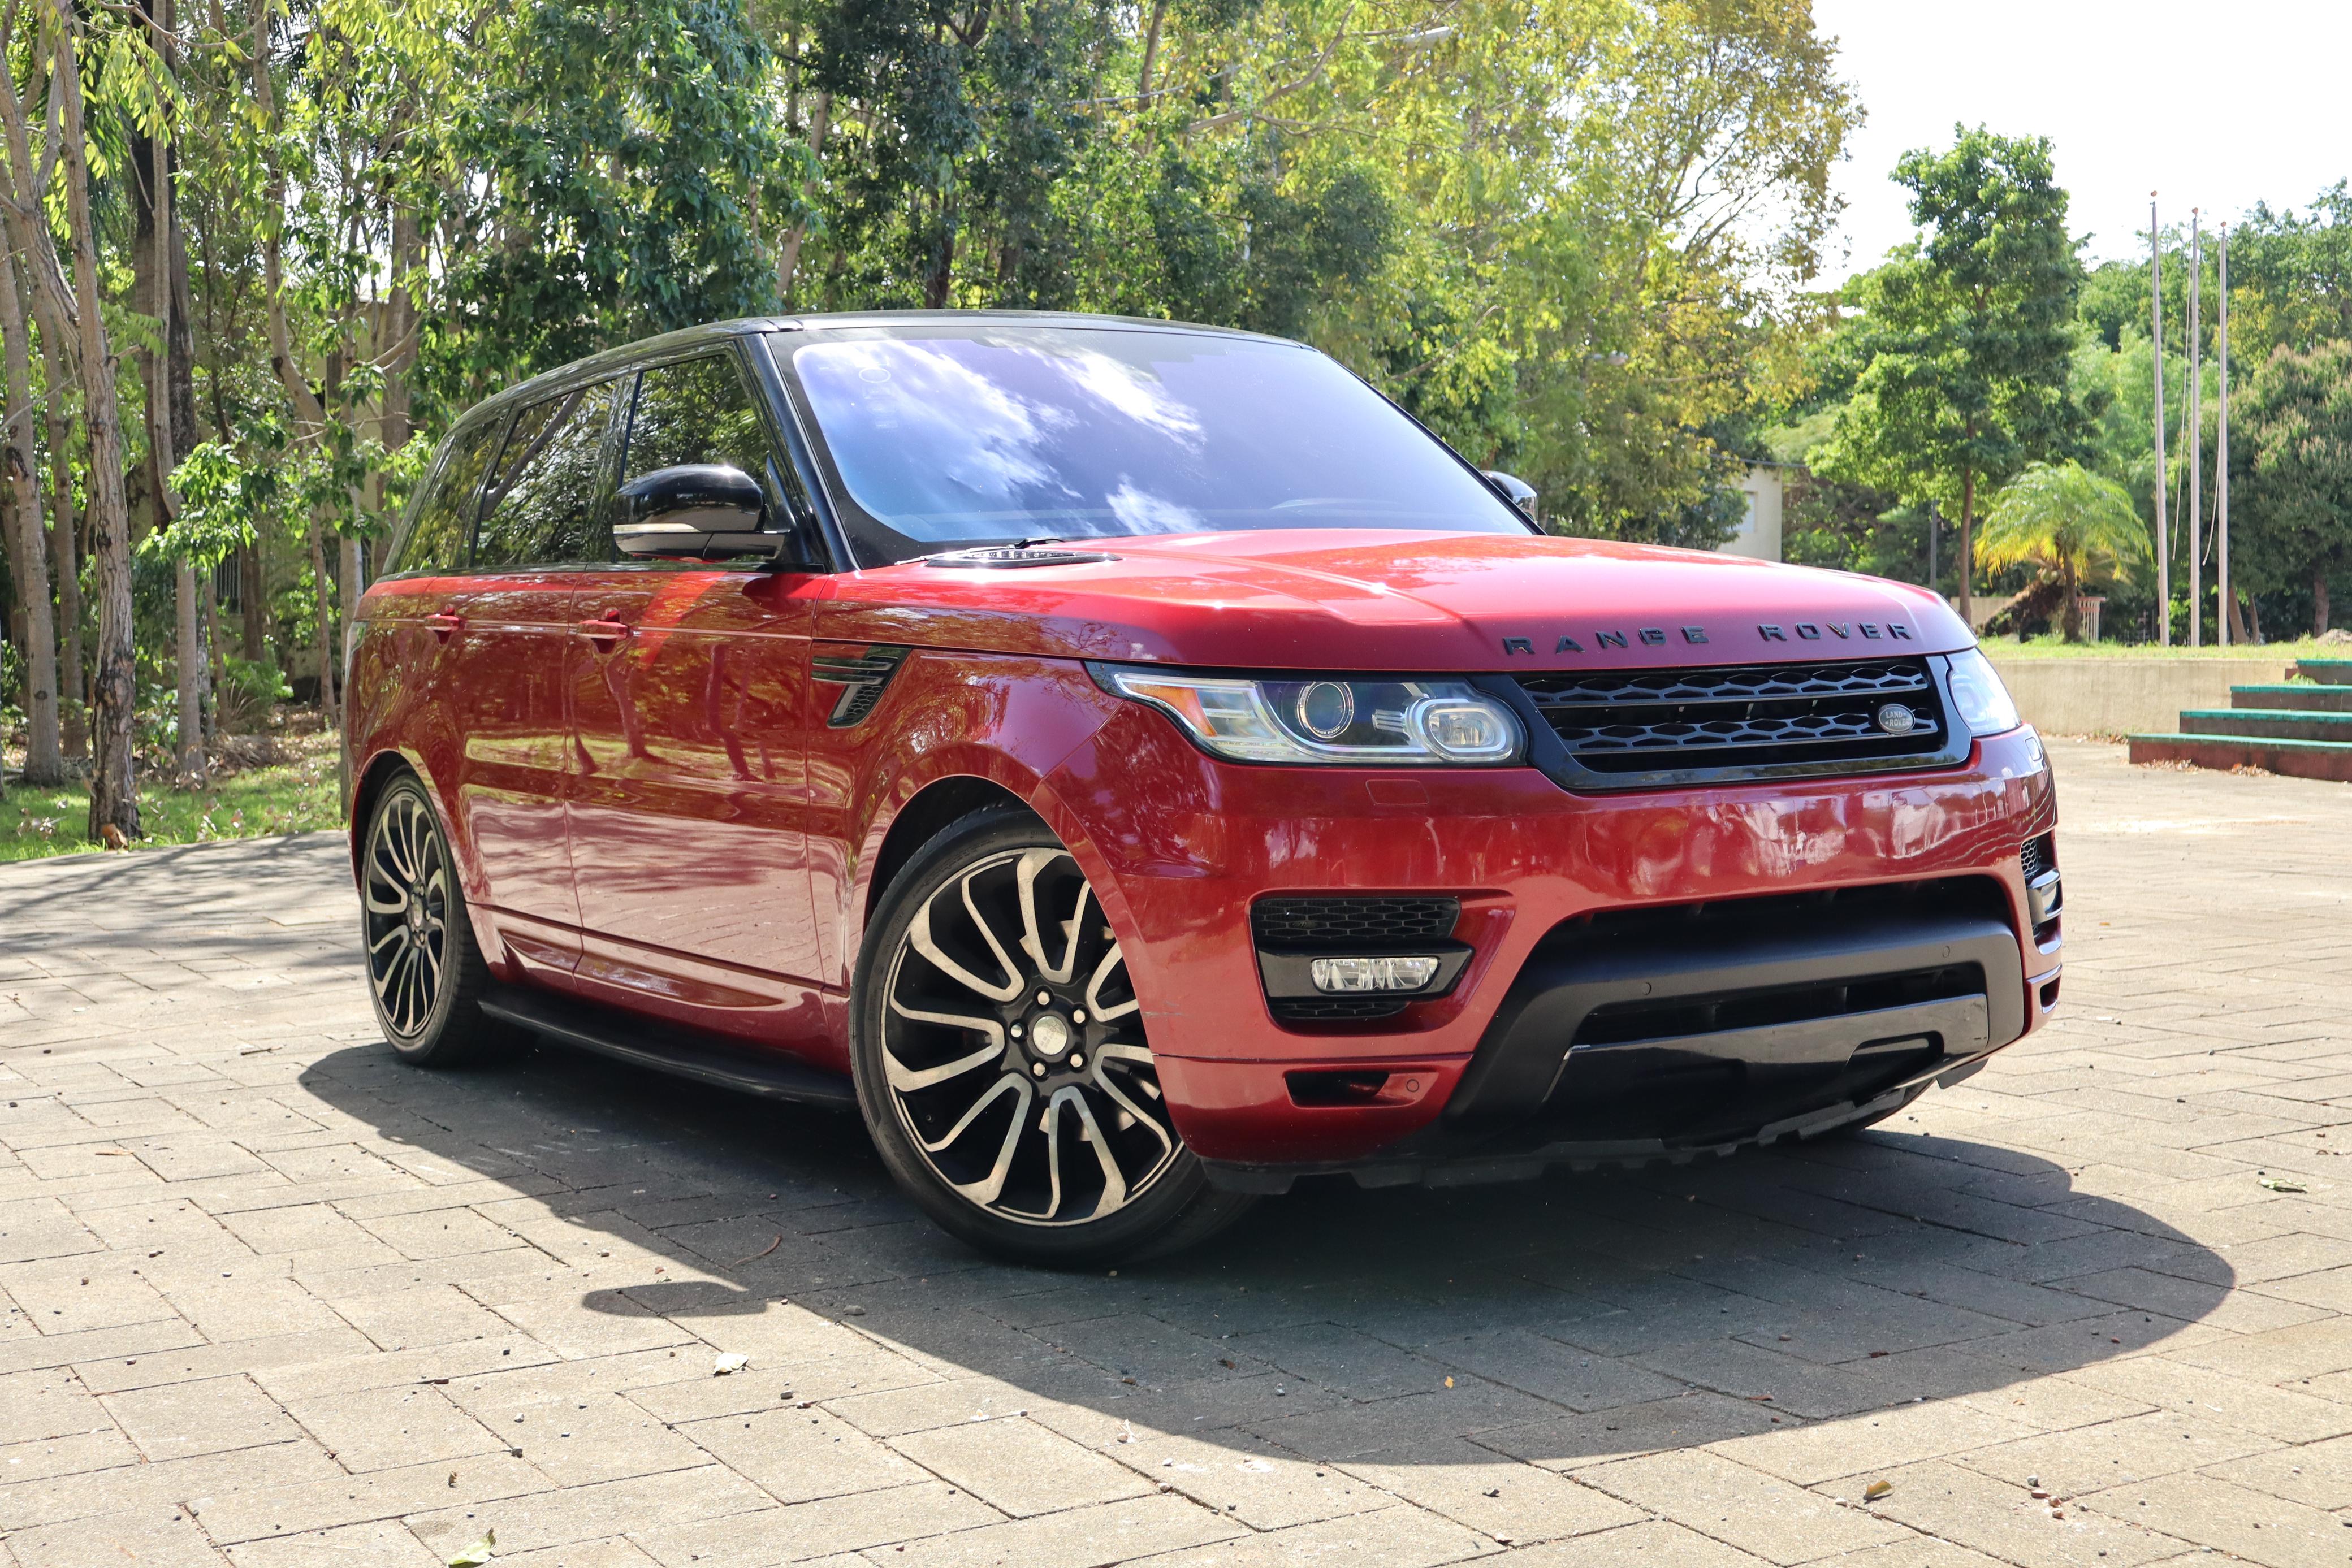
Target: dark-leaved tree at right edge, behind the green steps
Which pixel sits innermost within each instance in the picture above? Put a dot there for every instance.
(2299, 427)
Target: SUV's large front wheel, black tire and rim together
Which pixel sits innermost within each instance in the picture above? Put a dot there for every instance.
(954, 1054)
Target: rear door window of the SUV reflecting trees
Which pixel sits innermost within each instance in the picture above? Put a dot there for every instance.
(547, 492)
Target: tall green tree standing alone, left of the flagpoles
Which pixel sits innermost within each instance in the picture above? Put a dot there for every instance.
(1967, 335)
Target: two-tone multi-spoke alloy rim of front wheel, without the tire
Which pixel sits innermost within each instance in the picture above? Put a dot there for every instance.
(1015, 1050)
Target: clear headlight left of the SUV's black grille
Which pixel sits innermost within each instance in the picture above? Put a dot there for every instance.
(1368, 723)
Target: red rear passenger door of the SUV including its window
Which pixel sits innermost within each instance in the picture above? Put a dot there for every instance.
(516, 629)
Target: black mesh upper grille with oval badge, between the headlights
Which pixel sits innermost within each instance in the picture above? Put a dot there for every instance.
(1669, 723)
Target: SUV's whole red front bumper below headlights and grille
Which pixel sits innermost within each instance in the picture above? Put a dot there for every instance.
(1182, 847)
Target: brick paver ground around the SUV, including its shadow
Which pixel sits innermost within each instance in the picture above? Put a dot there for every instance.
(274, 1299)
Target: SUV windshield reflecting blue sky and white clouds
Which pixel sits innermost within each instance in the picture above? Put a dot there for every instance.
(996, 434)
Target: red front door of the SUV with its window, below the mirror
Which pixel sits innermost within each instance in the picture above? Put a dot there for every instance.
(688, 704)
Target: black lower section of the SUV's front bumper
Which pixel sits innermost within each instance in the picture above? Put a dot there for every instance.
(1709, 1036)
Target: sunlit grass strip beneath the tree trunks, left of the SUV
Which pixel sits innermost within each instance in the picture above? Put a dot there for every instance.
(290, 793)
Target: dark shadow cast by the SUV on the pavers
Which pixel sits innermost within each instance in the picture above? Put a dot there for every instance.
(1563, 1320)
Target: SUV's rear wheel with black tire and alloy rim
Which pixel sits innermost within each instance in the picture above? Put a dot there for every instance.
(425, 970)
